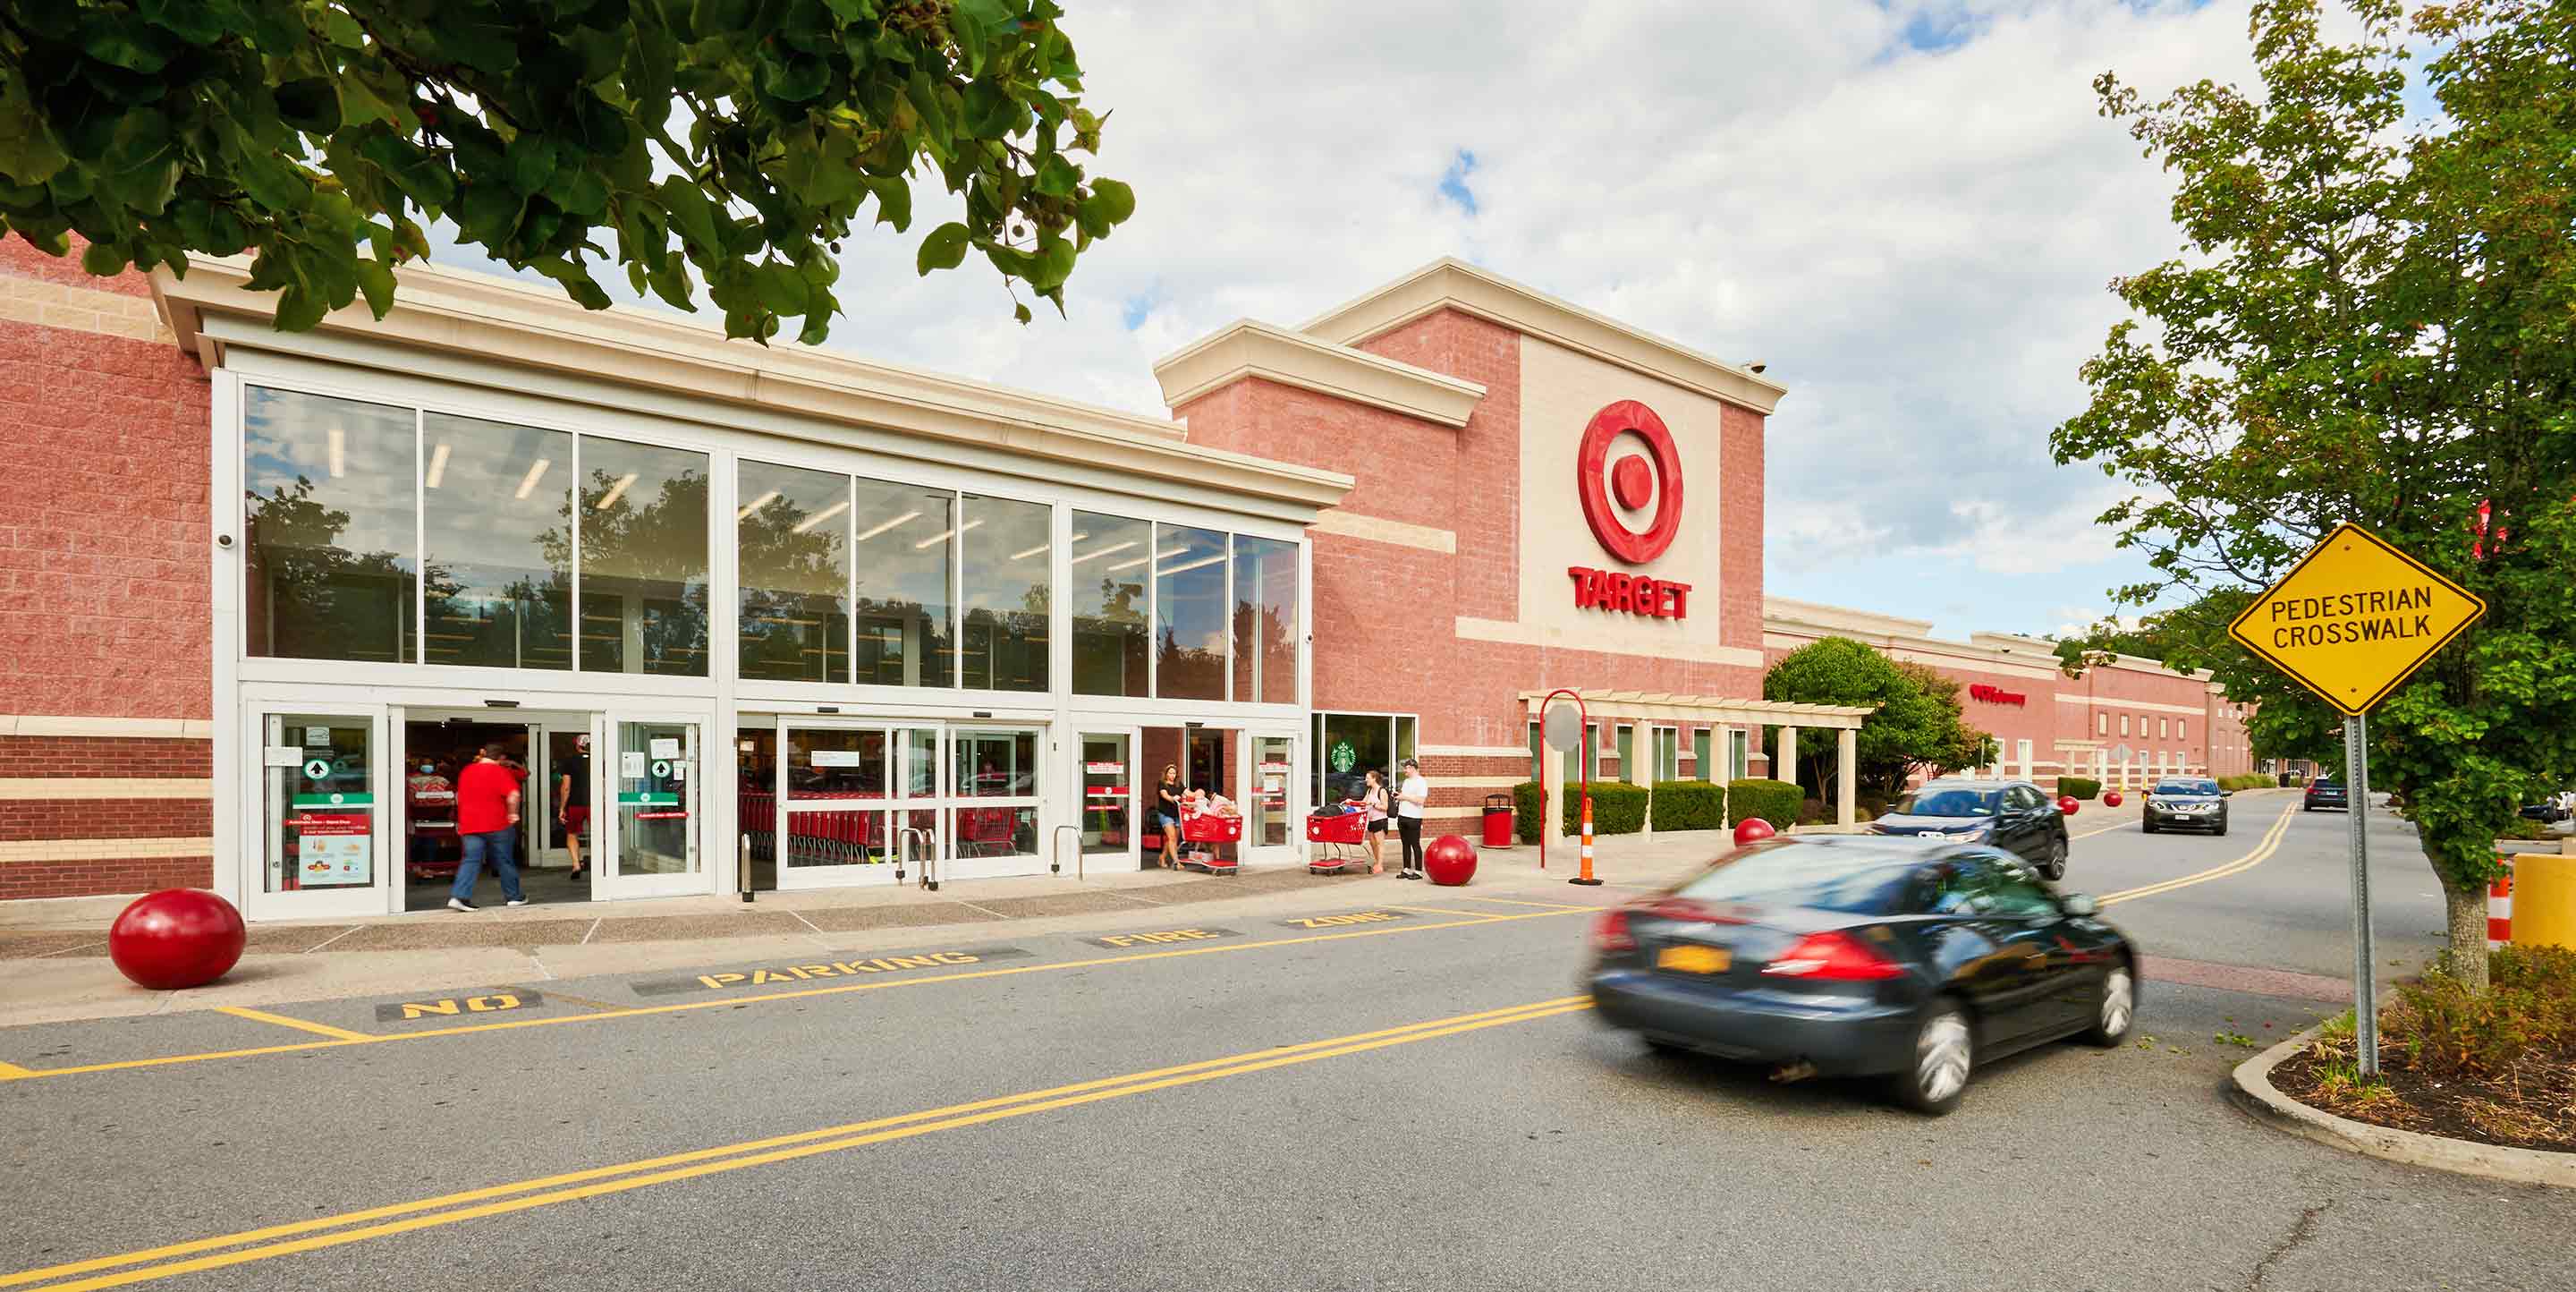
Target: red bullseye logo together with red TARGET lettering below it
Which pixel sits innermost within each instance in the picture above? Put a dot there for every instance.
(1606, 491)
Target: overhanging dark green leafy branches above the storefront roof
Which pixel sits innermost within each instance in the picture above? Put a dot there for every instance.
(697, 143)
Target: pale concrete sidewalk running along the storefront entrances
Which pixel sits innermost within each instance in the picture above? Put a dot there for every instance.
(55, 955)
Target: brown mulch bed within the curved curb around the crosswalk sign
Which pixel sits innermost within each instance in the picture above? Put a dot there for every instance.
(2533, 1105)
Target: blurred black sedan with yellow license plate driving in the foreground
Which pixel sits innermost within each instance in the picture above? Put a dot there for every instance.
(1859, 955)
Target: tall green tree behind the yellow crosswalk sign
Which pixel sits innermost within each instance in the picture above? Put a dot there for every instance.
(2371, 321)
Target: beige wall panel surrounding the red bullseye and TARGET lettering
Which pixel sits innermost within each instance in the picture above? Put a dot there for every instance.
(1560, 393)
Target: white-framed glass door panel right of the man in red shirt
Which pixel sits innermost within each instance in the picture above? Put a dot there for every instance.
(648, 778)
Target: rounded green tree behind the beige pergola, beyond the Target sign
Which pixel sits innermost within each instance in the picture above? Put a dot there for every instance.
(1918, 723)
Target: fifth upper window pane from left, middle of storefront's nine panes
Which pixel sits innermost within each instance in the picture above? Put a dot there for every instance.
(900, 548)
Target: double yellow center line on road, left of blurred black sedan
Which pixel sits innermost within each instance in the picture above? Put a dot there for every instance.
(614, 1180)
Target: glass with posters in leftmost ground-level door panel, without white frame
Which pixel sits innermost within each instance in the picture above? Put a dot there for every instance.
(323, 811)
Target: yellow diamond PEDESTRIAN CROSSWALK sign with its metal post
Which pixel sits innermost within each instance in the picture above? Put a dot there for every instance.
(2351, 623)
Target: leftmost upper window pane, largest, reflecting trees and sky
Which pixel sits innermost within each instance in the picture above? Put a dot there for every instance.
(331, 548)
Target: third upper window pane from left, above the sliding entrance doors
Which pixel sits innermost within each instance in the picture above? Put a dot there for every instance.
(643, 533)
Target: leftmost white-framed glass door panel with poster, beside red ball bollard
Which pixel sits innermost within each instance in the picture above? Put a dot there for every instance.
(321, 829)
